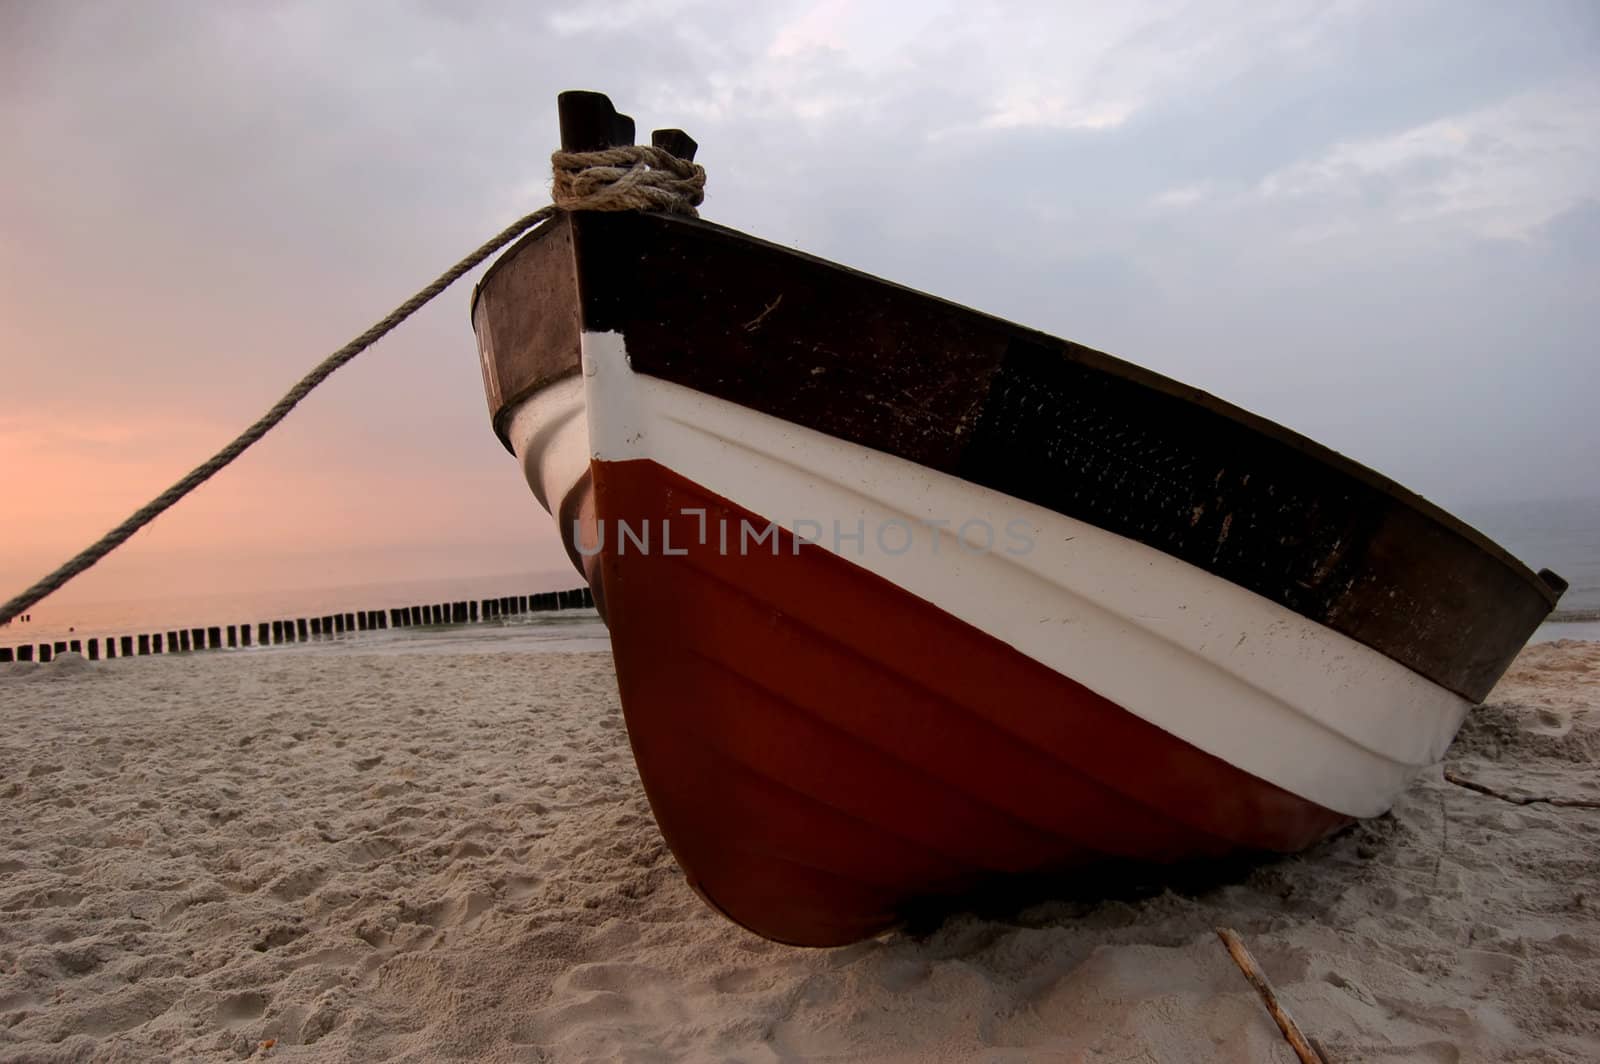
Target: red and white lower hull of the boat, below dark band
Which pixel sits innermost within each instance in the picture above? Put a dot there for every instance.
(833, 734)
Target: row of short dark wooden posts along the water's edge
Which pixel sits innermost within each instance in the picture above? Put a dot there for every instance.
(303, 630)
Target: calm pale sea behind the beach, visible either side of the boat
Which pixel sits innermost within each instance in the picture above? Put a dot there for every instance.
(1556, 535)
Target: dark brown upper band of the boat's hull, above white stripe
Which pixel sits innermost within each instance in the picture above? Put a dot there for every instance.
(1042, 420)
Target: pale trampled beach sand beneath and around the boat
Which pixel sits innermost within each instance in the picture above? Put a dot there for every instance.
(447, 857)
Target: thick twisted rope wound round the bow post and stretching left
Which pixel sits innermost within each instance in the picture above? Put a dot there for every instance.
(639, 178)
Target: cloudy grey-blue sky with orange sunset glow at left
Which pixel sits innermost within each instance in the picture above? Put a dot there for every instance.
(1377, 223)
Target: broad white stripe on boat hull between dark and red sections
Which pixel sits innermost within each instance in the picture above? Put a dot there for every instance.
(1222, 668)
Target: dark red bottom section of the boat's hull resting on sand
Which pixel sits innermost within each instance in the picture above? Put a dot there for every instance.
(823, 750)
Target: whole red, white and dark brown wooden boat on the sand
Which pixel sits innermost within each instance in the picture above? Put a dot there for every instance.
(905, 598)
